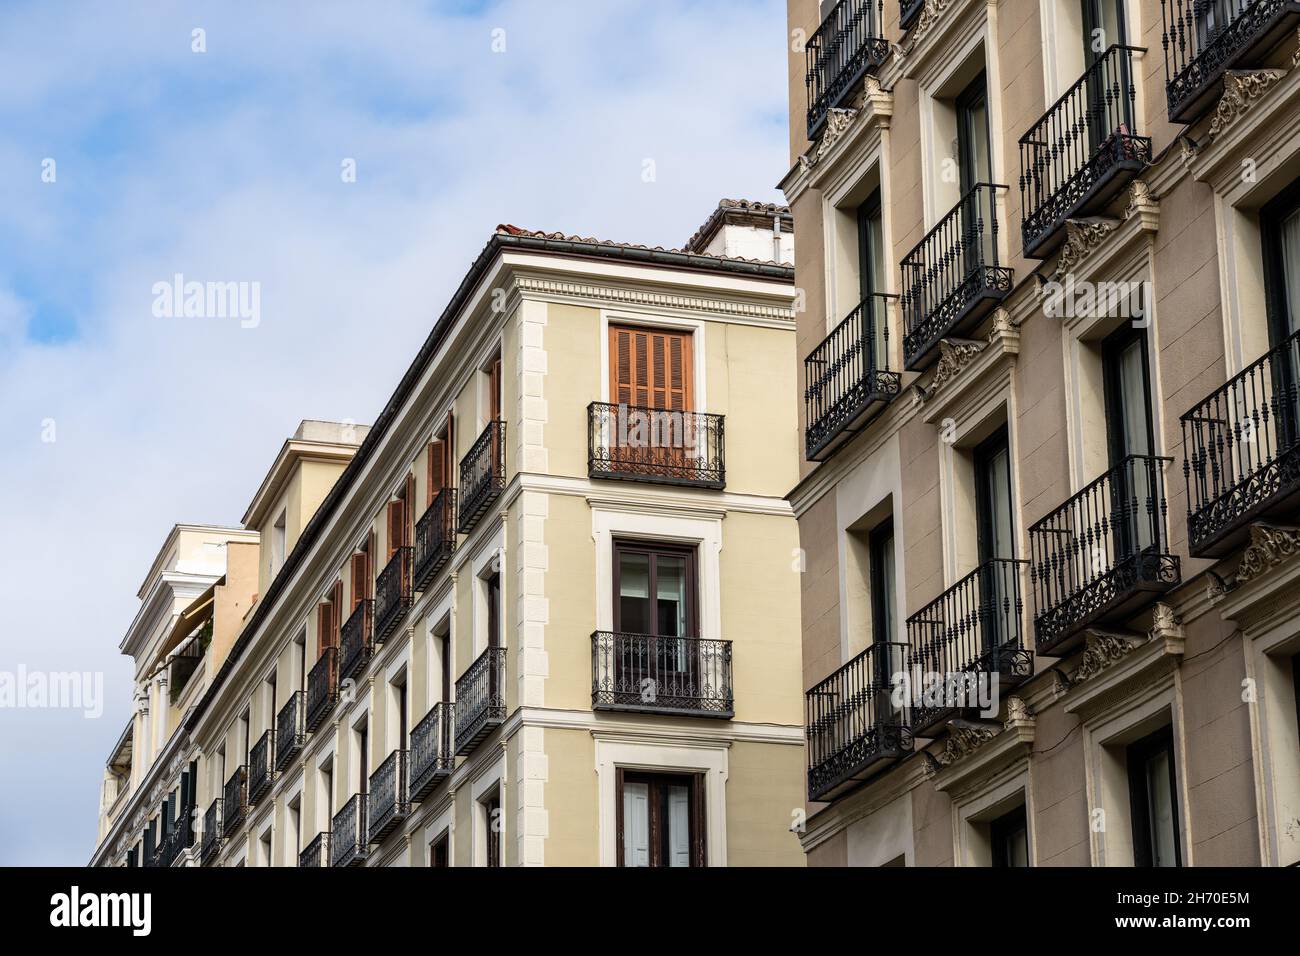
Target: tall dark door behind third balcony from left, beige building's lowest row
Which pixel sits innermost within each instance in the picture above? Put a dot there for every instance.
(1129, 432)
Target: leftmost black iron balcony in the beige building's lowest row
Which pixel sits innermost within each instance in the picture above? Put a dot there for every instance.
(853, 725)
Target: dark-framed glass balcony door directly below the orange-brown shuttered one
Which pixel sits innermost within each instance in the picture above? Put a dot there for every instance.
(656, 602)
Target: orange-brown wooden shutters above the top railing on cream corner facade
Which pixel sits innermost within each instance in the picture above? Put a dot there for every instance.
(649, 367)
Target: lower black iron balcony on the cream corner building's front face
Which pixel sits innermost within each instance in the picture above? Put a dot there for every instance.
(661, 676)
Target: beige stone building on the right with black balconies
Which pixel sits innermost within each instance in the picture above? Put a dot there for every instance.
(1048, 252)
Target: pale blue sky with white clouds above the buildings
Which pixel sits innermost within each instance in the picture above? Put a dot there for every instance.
(227, 166)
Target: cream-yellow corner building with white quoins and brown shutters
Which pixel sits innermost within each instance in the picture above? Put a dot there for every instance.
(545, 609)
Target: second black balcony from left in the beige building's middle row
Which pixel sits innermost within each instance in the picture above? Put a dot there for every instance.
(952, 278)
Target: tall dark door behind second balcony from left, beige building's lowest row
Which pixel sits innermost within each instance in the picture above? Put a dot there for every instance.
(996, 543)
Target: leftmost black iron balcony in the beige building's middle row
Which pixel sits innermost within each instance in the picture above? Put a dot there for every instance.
(848, 379)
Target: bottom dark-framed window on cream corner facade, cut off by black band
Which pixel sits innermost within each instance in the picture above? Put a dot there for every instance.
(661, 820)
